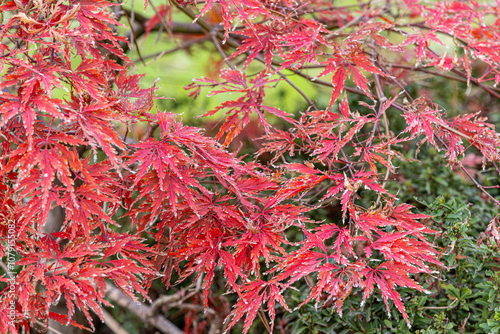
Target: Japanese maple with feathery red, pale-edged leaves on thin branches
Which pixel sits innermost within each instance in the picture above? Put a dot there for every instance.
(194, 209)
